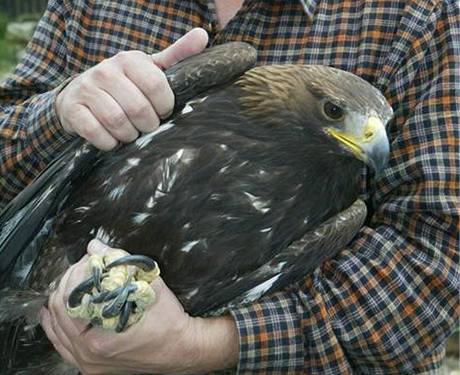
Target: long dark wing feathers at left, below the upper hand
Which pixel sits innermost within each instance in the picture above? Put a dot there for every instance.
(26, 221)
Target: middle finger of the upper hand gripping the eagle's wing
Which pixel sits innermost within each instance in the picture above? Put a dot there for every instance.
(134, 103)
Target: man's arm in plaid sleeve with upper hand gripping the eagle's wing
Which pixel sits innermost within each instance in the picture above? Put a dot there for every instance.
(54, 95)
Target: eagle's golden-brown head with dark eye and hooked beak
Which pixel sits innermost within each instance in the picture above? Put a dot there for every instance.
(320, 99)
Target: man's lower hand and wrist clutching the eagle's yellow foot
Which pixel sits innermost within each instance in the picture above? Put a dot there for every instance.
(165, 340)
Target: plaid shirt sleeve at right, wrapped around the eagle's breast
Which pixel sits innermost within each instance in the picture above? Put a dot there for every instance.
(387, 303)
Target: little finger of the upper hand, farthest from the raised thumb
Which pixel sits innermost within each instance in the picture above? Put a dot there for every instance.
(88, 127)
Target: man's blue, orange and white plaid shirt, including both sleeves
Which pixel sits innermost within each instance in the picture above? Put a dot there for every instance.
(388, 302)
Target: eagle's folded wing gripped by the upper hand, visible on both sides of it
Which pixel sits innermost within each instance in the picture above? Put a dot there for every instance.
(26, 222)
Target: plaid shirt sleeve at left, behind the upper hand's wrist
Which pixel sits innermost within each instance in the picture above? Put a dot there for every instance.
(30, 132)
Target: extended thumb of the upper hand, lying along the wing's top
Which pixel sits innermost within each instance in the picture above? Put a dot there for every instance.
(190, 44)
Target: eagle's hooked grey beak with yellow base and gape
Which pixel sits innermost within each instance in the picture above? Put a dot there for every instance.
(368, 142)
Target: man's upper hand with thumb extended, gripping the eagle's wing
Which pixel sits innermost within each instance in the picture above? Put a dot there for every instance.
(124, 95)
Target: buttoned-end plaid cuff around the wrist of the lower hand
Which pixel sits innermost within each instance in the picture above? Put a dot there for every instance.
(270, 336)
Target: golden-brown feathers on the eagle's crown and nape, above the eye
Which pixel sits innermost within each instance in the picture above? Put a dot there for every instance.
(294, 89)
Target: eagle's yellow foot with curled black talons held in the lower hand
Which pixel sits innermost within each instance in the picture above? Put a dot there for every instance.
(118, 291)
